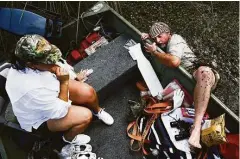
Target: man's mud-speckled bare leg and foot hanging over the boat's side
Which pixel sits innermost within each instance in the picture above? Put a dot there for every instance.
(205, 79)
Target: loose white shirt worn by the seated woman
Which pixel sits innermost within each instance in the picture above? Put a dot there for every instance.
(34, 97)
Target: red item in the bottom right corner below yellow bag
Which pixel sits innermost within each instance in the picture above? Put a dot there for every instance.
(230, 150)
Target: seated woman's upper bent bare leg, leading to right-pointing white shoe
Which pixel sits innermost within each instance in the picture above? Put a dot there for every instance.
(83, 94)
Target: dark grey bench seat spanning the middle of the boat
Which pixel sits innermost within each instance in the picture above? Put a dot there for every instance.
(112, 66)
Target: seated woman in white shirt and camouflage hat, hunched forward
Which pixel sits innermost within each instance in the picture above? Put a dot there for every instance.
(43, 95)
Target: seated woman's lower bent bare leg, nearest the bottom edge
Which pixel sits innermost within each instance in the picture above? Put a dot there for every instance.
(75, 122)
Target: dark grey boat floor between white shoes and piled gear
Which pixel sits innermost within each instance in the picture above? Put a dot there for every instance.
(112, 142)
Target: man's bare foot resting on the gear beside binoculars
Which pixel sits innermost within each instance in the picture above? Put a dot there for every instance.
(194, 140)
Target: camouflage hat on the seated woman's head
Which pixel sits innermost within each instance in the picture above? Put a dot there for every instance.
(35, 48)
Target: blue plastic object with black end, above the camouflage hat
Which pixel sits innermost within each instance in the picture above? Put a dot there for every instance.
(23, 22)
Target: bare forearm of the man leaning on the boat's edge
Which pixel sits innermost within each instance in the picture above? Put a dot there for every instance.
(167, 59)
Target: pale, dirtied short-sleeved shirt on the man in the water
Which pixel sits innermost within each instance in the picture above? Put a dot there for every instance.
(177, 46)
